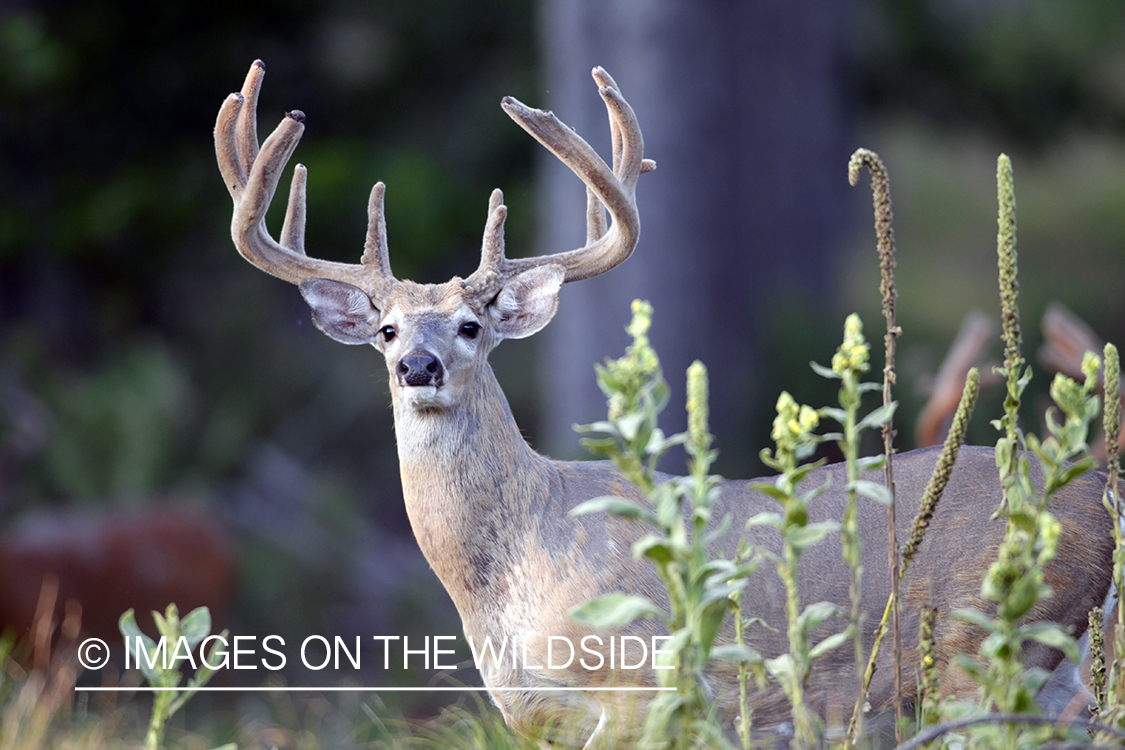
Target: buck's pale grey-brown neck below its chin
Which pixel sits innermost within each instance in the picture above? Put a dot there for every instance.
(470, 483)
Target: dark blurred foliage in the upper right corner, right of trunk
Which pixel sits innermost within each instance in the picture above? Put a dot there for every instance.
(1027, 71)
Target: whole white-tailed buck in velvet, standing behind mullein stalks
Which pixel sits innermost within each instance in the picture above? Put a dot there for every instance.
(491, 514)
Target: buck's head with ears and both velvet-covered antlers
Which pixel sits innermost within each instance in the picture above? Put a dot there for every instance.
(435, 337)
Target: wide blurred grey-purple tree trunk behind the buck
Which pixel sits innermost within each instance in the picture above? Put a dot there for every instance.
(743, 109)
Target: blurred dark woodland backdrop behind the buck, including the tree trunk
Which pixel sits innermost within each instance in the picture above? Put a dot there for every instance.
(142, 362)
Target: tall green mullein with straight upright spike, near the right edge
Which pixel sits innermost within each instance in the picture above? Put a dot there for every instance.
(1015, 582)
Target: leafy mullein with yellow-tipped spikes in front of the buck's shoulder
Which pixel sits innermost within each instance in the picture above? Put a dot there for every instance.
(679, 513)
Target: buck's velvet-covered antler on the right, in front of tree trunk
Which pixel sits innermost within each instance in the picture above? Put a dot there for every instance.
(613, 188)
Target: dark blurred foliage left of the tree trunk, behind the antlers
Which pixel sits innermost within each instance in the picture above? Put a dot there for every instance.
(123, 306)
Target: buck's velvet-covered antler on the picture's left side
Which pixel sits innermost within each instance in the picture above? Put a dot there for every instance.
(253, 174)
